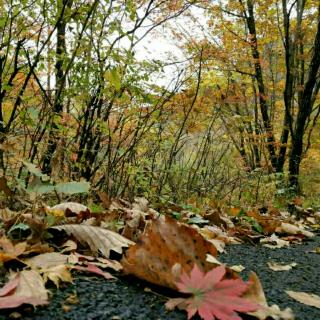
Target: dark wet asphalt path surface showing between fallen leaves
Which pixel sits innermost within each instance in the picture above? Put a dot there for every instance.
(95, 298)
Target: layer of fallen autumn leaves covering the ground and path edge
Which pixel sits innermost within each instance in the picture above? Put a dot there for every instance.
(172, 247)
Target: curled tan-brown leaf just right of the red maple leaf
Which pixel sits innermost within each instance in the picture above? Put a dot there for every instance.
(256, 294)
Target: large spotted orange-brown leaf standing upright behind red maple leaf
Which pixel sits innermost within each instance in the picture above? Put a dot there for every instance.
(165, 250)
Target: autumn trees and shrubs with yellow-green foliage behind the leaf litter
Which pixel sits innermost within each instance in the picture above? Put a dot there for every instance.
(232, 117)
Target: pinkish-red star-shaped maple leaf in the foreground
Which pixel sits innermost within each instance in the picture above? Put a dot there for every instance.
(212, 297)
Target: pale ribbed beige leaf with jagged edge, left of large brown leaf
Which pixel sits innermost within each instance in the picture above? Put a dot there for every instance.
(98, 239)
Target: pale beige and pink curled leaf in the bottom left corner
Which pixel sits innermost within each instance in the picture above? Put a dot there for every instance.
(29, 290)
